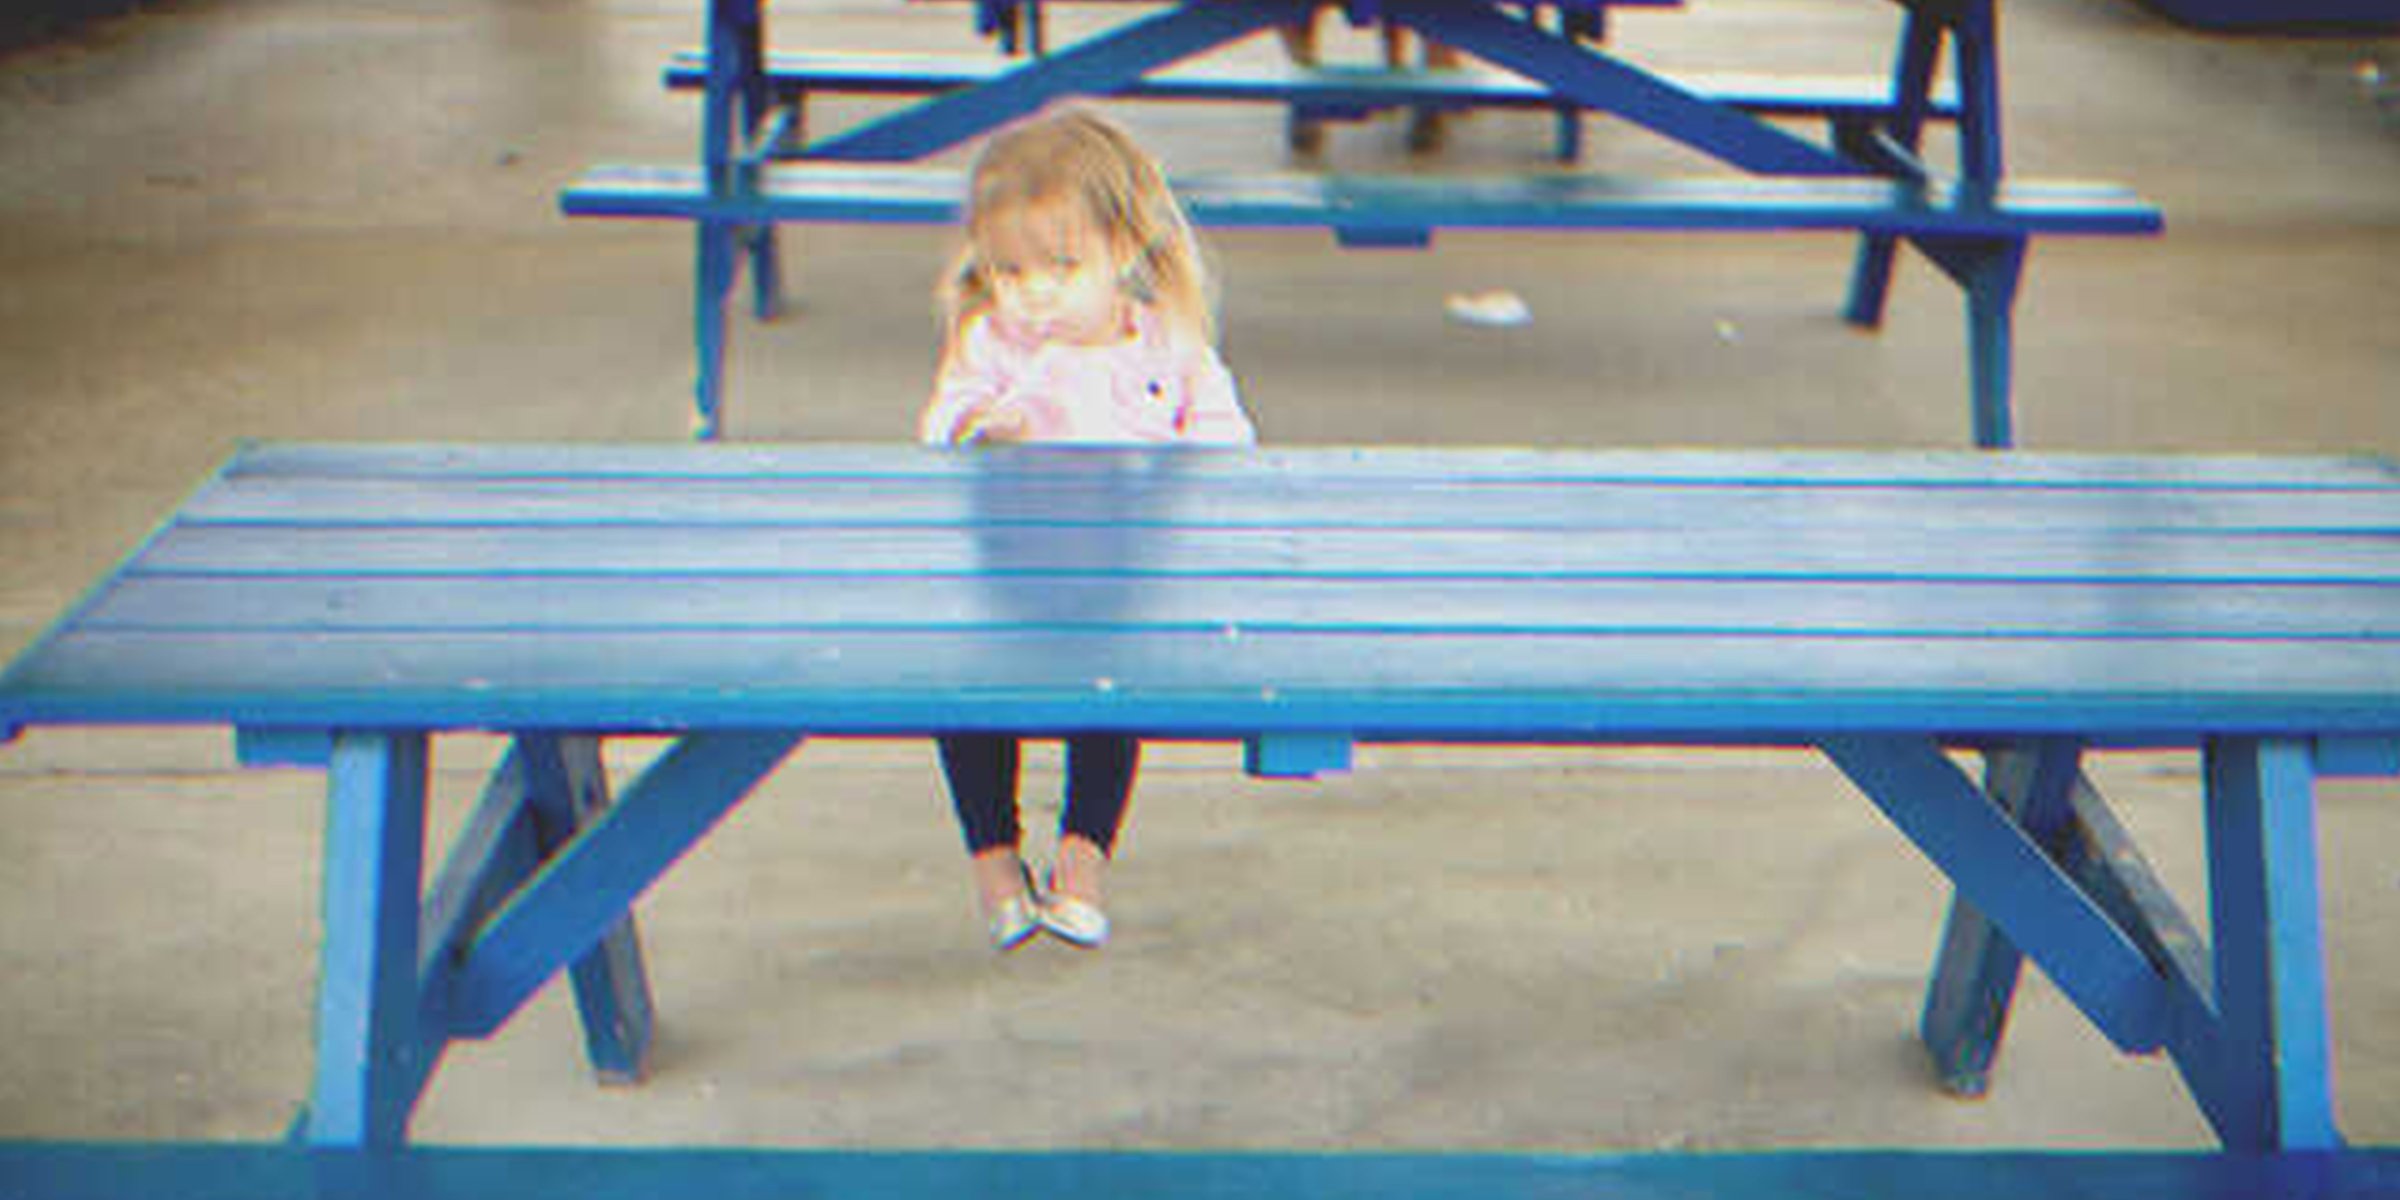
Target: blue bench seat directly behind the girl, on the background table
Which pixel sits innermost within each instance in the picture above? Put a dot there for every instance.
(1976, 239)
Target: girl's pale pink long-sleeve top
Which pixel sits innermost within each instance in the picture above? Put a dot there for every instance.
(1156, 385)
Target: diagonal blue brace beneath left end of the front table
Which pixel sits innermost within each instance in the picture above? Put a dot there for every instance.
(589, 887)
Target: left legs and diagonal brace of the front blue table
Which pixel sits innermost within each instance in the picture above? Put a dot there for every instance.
(544, 877)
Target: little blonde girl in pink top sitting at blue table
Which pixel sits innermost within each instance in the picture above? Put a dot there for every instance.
(1079, 313)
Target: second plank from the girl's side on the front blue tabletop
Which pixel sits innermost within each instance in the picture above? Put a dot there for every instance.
(1156, 496)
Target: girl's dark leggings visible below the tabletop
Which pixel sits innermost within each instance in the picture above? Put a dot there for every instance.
(983, 774)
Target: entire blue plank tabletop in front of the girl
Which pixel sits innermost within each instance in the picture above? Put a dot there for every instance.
(880, 589)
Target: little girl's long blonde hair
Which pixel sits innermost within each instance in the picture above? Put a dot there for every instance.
(1081, 167)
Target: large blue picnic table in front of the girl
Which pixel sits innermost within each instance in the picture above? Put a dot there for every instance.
(344, 606)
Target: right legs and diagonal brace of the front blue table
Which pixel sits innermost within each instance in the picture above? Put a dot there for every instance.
(2240, 1014)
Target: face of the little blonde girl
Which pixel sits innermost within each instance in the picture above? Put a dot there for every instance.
(1055, 275)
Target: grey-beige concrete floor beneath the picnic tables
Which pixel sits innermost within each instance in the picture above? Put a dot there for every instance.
(292, 220)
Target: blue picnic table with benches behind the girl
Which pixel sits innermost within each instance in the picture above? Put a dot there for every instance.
(760, 164)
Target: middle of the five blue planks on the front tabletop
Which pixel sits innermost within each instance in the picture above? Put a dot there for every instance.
(733, 556)
